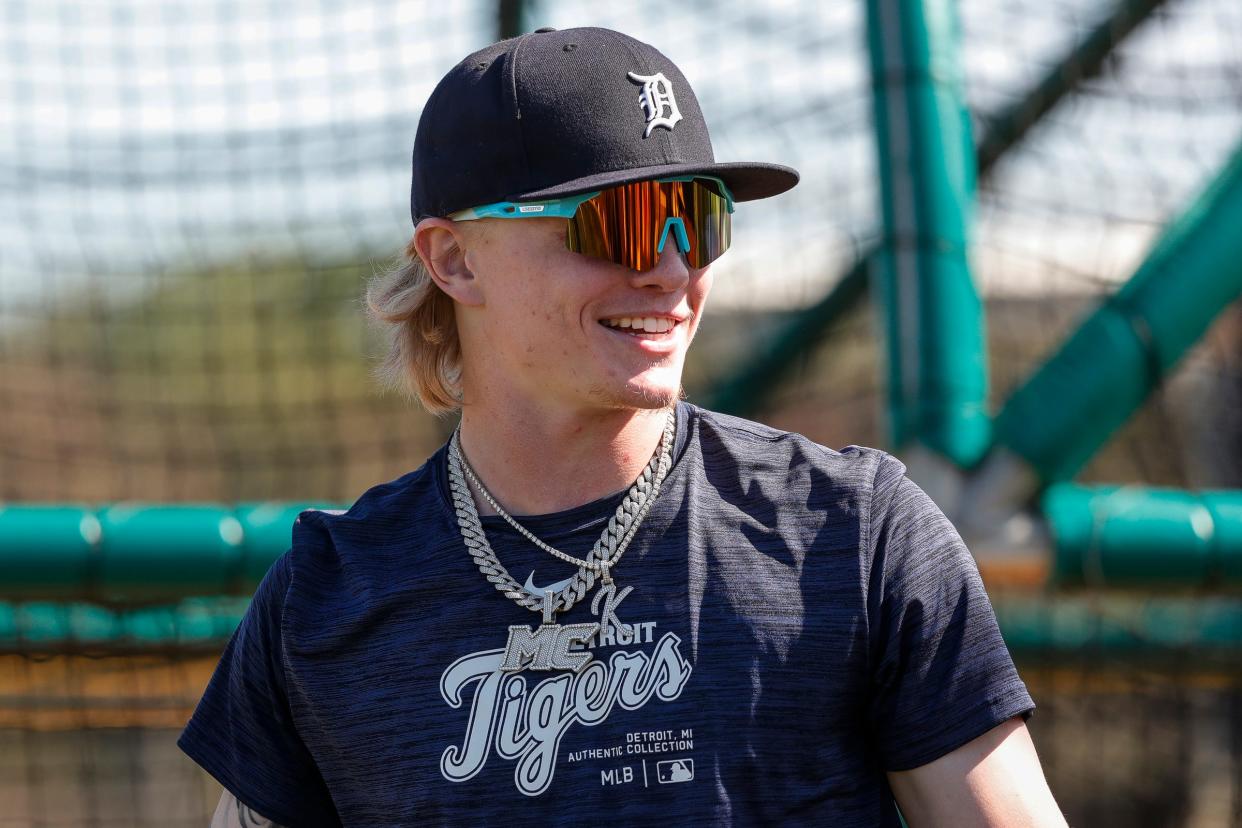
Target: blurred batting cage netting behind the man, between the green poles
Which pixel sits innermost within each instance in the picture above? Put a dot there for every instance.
(194, 197)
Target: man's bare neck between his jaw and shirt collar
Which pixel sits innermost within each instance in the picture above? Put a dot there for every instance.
(538, 461)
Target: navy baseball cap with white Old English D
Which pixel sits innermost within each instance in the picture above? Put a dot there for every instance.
(556, 114)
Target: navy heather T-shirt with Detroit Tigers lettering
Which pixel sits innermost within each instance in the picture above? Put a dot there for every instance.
(802, 620)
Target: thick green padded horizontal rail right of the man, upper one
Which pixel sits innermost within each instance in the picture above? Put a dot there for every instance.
(1116, 537)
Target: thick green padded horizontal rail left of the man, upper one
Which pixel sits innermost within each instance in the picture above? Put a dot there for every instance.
(140, 553)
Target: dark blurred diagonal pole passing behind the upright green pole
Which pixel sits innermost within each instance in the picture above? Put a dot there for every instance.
(745, 392)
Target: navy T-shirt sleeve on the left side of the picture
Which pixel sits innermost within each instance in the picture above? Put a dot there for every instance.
(243, 732)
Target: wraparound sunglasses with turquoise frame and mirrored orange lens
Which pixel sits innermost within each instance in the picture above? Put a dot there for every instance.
(632, 223)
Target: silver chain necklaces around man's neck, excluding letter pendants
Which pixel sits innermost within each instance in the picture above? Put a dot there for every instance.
(608, 551)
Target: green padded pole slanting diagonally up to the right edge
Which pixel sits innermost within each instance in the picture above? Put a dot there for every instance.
(1105, 372)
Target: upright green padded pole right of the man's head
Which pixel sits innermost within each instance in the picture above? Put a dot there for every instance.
(937, 363)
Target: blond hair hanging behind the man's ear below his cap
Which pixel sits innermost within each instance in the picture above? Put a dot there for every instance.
(424, 358)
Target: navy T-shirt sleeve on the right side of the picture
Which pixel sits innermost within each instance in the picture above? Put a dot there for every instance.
(941, 671)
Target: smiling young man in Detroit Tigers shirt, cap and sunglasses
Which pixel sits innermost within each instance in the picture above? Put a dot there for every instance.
(598, 604)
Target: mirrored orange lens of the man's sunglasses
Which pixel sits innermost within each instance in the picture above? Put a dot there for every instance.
(625, 224)
